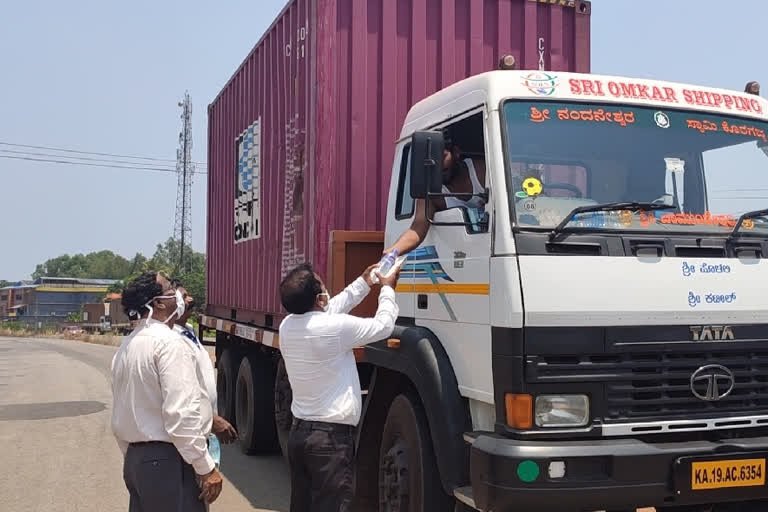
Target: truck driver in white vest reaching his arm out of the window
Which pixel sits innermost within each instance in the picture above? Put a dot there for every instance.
(461, 175)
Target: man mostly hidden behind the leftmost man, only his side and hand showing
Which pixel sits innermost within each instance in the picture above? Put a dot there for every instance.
(222, 429)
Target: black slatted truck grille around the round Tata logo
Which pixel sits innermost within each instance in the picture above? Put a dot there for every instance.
(645, 386)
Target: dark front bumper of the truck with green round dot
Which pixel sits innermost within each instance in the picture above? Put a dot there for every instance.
(602, 474)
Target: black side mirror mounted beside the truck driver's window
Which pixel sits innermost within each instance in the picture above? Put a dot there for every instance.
(426, 163)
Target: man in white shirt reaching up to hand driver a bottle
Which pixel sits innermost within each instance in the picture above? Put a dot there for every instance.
(317, 341)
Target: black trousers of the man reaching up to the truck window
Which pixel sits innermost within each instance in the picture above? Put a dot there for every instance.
(321, 456)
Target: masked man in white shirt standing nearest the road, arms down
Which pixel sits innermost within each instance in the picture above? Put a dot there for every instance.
(161, 413)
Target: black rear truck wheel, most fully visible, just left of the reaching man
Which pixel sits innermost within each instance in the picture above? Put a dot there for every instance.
(254, 405)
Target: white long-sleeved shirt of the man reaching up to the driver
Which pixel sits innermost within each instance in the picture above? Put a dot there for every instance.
(317, 349)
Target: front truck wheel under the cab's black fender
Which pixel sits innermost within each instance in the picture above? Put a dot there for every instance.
(408, 477)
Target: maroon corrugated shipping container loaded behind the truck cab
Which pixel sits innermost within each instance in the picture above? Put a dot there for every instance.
(301, 139)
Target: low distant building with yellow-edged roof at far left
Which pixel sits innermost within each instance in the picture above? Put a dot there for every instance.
(49, 300)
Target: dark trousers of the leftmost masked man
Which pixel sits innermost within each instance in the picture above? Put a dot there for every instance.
(158, 480)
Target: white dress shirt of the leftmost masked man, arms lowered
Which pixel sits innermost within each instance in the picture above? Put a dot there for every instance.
(159, 394)
